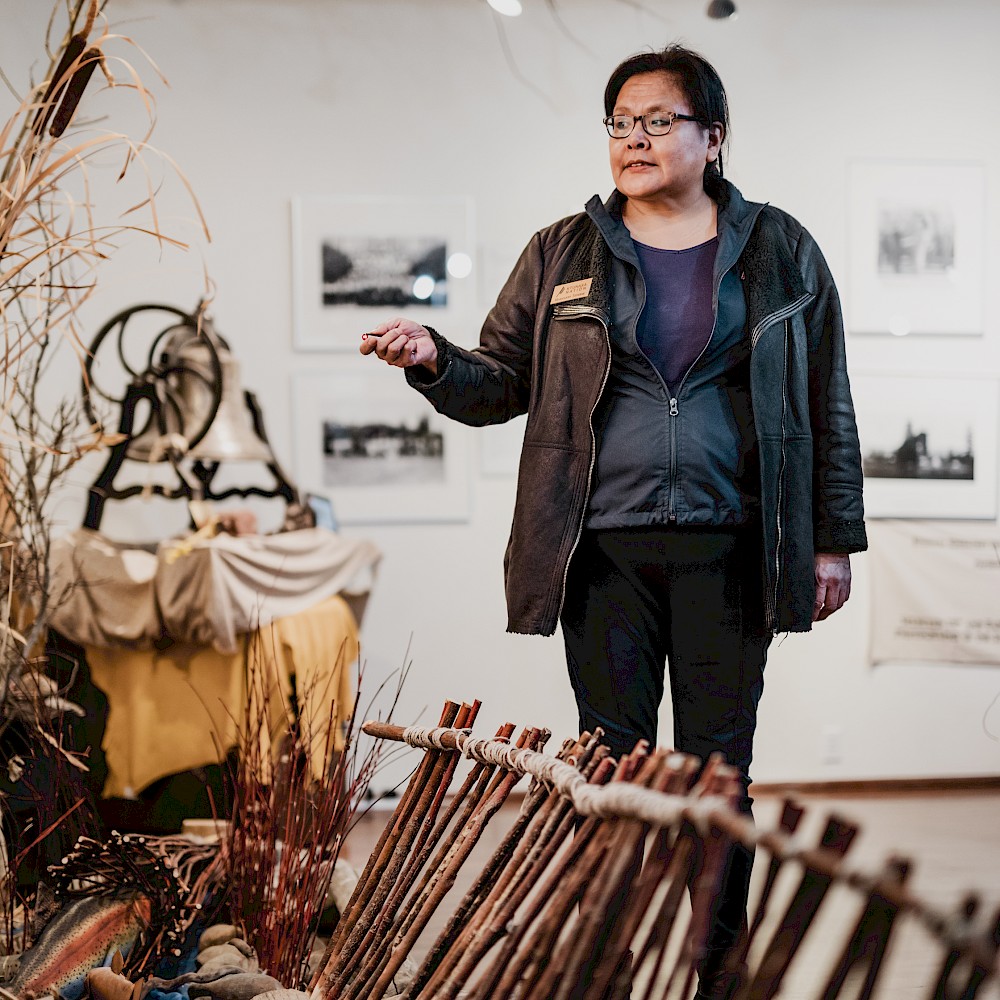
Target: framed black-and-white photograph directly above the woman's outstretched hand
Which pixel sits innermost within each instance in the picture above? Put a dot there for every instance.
(357, 262)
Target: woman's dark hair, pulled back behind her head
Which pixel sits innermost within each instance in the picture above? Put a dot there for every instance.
(702, 86)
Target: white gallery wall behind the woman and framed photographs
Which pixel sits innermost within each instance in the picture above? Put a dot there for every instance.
(269, 101)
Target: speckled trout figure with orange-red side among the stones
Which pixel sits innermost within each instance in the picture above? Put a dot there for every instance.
(82, 936)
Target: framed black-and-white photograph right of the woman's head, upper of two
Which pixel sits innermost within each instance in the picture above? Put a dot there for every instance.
(916, 248)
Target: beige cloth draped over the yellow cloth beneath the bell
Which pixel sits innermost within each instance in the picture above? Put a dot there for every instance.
(203, 591)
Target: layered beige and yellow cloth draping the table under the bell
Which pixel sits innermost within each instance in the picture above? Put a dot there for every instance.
(245, 614)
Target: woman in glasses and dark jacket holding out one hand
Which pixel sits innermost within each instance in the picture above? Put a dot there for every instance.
(690, 481)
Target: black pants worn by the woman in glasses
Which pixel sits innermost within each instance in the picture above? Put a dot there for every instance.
(638, 599)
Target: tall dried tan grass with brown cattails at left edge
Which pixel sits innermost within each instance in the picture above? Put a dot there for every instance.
(53, 242)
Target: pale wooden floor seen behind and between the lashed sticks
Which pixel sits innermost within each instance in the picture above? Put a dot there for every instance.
(952, 838)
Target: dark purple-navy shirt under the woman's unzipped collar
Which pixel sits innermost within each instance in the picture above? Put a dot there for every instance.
(676, 322)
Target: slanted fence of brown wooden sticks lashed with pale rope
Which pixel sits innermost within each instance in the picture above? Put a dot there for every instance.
(602, 887)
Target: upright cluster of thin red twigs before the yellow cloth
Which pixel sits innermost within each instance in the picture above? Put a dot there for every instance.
(289, 816)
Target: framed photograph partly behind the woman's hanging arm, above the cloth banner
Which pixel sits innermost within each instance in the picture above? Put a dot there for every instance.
(928, 444)
